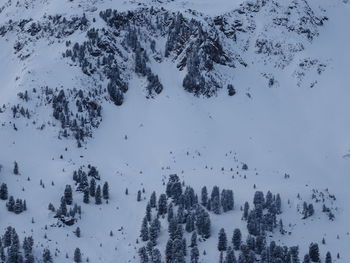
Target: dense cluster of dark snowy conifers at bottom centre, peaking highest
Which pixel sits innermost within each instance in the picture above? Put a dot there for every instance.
(183, 213)
